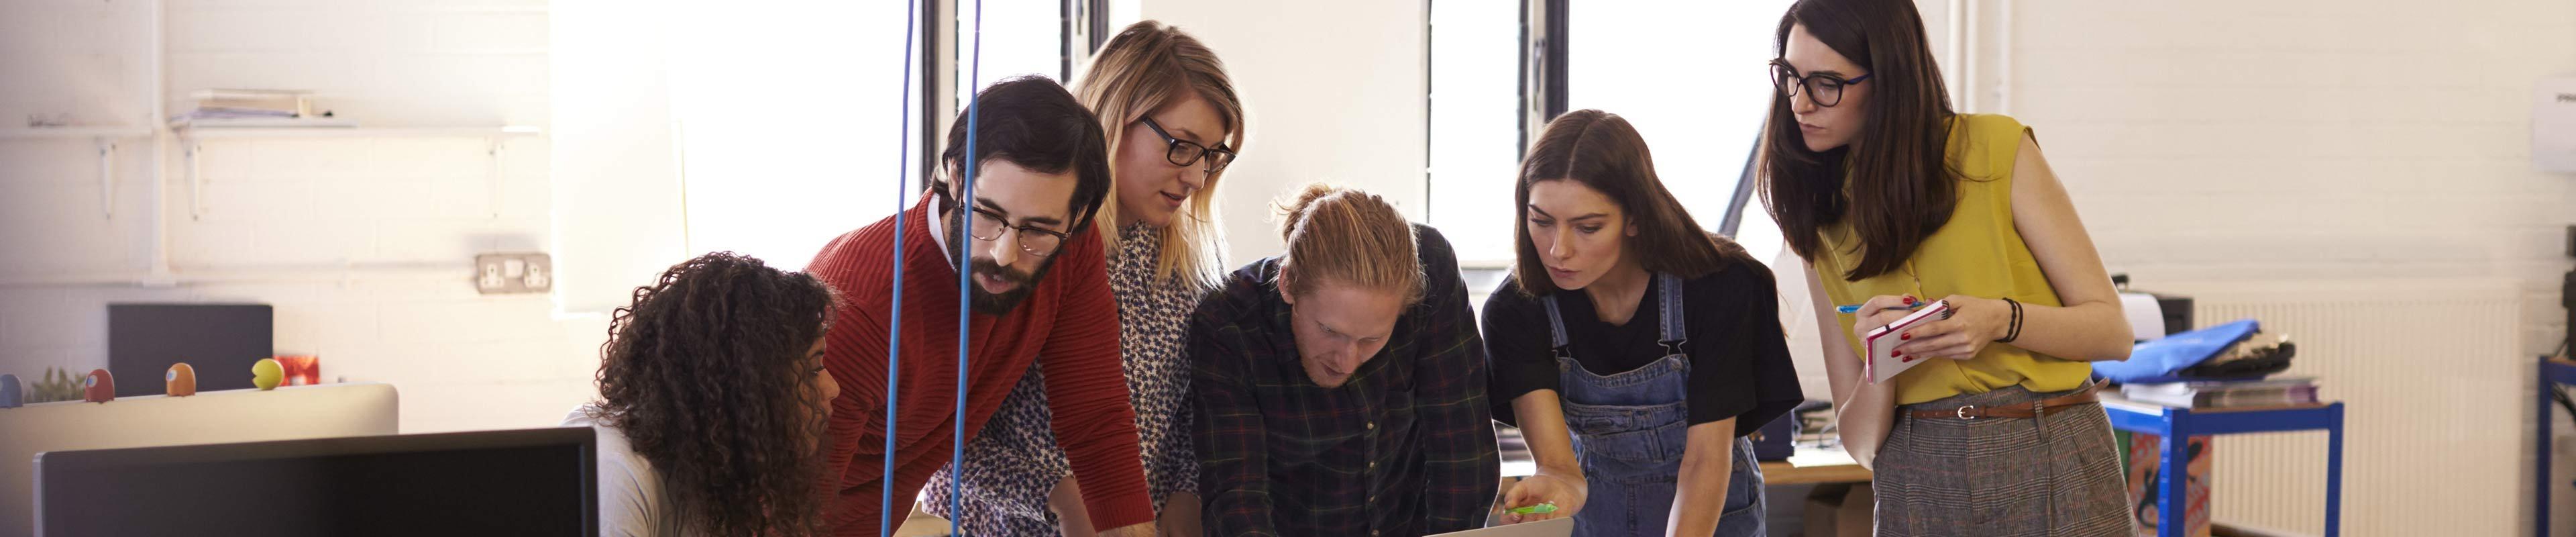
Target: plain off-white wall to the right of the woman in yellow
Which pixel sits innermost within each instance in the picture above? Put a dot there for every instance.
(2273, 143)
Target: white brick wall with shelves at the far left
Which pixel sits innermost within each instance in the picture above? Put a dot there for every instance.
(292, 213)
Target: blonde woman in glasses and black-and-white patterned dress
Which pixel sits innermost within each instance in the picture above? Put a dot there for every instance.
(1173, 128)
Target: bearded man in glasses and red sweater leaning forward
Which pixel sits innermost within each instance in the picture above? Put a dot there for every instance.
(1039, 290)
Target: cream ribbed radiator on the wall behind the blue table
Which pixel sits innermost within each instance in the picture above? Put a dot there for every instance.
(2436, 409)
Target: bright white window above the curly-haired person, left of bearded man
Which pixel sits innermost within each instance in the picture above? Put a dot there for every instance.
(787, 123)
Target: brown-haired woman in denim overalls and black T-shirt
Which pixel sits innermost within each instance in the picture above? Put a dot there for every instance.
(1660, 352)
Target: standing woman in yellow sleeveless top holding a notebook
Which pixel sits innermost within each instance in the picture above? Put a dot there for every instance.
(1897, 200)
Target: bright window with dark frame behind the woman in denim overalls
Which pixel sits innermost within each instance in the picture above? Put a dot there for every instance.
(1689, 74)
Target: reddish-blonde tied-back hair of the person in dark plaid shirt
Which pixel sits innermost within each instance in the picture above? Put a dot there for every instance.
(1354, 239)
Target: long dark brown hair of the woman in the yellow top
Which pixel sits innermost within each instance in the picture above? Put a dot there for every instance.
(1902, 187)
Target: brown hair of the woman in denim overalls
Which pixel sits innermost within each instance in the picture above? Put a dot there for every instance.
(1604, 154)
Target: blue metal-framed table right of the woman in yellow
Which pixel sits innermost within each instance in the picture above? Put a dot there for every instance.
(2173, 425)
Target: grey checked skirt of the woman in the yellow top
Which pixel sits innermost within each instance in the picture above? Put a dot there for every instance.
(2052, 476)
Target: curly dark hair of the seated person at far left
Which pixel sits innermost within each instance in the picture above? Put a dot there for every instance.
(707, 376)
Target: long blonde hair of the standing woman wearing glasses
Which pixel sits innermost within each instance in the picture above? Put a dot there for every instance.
(1145, 68)
